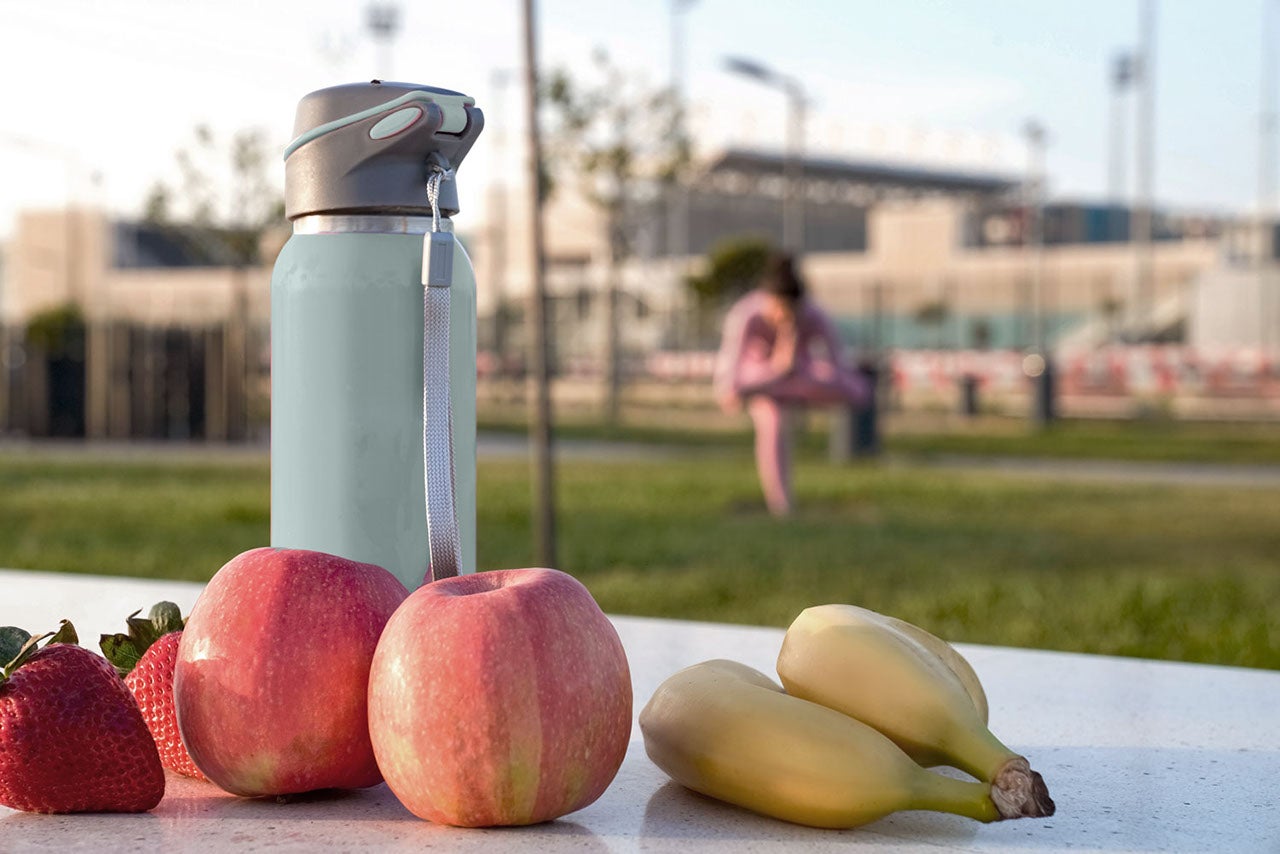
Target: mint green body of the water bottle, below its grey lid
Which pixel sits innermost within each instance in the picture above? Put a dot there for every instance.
(348, 400)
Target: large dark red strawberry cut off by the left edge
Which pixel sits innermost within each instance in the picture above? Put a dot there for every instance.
(72, 739)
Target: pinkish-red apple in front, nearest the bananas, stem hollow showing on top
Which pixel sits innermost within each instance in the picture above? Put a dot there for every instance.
(500, 698)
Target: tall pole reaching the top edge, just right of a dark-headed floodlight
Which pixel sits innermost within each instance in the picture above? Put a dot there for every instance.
(1144, 214)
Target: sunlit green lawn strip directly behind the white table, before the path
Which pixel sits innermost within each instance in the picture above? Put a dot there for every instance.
(1155, 572)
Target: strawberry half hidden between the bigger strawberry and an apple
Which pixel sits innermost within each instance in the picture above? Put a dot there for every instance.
(145, 659)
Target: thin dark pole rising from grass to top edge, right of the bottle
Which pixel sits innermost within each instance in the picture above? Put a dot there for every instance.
(540, 376)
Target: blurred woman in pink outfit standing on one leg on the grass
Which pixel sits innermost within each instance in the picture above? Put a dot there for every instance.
(780, 351)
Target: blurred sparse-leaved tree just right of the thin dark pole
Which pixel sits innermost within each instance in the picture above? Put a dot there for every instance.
(624, 141)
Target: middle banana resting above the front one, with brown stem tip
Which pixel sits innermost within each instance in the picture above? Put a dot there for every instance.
(858, 663)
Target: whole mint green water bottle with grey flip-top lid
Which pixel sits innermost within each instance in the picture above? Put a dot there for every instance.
(348, 326)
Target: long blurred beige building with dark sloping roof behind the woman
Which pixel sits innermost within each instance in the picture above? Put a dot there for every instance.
(906, 258)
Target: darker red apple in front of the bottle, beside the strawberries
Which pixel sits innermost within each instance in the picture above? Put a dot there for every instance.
(273, 672)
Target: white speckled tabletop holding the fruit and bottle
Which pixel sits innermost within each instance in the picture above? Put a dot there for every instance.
(1140, 756)
